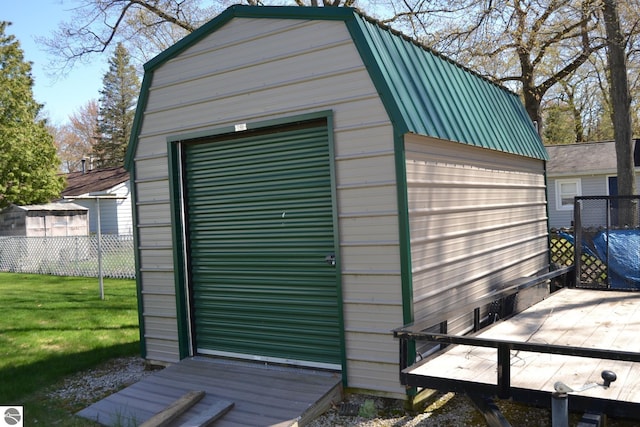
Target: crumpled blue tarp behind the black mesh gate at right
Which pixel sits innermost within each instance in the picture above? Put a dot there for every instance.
(622, 258)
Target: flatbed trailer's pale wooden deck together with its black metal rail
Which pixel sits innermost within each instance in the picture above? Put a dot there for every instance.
(572, 336)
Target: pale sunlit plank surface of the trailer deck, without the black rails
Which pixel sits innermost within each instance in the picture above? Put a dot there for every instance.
(588, 319)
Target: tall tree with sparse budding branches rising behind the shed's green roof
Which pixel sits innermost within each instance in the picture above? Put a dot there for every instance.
(531, 44)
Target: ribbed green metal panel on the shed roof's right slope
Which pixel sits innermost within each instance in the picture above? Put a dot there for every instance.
(433, 96)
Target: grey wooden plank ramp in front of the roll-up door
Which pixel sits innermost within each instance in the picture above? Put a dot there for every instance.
(259, 395)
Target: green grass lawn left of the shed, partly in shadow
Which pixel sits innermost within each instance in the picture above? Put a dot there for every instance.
(53, 326)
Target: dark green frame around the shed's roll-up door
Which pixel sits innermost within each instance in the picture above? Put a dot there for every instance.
(180, 230)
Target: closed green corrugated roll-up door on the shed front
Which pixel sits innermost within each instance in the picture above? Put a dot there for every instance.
(260, 225)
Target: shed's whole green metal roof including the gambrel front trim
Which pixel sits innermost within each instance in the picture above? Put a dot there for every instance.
(423, 92)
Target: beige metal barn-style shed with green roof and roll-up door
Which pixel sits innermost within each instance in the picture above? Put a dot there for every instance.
(306, 180)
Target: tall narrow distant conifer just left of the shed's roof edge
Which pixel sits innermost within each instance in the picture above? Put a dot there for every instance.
(116, 109)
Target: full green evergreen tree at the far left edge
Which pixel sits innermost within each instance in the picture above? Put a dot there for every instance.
(28, 161)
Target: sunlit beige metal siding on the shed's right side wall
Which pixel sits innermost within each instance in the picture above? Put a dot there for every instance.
(477, 218)
